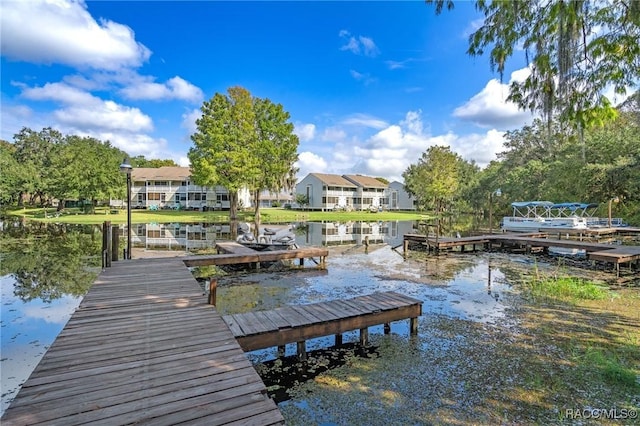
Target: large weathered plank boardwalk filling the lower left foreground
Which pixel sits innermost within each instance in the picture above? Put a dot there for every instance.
(144, 347)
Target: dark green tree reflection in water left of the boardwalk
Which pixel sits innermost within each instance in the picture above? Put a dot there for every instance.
(49, 260)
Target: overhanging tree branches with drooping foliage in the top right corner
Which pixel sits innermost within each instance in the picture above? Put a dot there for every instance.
(577, 49)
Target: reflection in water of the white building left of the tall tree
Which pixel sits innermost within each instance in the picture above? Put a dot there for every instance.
(179, 236)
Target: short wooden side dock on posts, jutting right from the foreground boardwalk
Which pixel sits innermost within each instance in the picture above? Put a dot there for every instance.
(296, 324)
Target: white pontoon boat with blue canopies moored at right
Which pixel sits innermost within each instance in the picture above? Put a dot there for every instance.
(532, 216)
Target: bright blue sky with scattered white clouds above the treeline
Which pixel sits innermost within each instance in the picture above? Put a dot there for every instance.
(369, 85)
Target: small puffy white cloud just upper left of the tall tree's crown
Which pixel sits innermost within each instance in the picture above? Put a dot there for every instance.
(174, 88)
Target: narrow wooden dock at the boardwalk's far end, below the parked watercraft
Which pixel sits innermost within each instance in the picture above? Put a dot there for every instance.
(235, 253)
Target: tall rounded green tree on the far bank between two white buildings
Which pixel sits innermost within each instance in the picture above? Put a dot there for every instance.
(243, 142)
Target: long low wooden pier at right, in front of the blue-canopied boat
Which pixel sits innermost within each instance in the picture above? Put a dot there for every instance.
(613, 254)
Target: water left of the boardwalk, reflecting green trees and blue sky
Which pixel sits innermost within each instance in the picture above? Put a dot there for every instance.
(45, 269)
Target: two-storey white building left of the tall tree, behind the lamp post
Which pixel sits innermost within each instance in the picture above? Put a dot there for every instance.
(171, 187)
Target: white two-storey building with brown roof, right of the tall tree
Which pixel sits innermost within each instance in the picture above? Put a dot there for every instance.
(330, 192)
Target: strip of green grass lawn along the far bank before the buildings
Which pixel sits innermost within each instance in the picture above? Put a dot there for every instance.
(268, 215)
